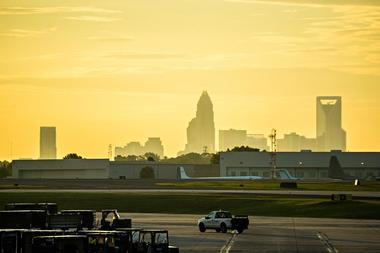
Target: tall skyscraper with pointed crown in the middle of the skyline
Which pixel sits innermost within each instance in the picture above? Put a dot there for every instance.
(201, 129)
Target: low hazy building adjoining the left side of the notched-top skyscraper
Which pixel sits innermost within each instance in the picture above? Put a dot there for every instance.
(294, 142)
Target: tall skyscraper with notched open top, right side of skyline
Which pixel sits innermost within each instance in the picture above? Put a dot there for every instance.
(330, 134)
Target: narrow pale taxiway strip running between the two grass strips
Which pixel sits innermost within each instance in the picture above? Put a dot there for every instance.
(184, 191)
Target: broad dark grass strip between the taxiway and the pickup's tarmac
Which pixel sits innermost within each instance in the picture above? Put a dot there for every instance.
(203, 203)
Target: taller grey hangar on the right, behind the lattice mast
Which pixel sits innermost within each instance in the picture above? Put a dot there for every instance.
(304, 165)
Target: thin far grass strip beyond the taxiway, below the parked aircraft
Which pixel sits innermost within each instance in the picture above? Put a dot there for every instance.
(270, 185)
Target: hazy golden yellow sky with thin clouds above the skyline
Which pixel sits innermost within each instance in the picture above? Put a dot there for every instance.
(117, 71)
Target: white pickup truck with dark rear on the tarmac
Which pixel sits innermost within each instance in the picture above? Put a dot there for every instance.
(221, 221)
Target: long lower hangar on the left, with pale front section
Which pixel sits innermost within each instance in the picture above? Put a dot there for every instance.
(104, 169)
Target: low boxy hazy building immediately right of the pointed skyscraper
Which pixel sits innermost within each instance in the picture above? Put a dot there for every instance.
(229, 139)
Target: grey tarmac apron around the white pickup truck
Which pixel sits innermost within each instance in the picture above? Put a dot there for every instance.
(269, 234)
